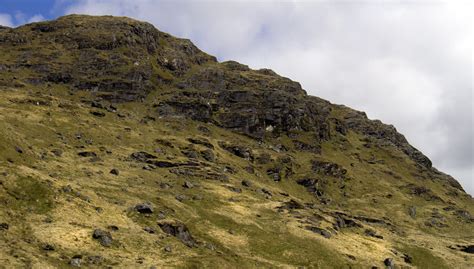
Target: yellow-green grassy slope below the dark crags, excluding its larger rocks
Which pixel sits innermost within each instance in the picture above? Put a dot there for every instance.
(245, 230)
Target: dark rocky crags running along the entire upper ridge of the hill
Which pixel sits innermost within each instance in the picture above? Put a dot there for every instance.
(121, 60)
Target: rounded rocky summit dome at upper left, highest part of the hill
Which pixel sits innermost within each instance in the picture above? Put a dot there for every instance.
(118, 59)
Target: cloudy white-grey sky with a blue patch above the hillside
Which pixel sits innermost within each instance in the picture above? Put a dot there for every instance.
(407, 63)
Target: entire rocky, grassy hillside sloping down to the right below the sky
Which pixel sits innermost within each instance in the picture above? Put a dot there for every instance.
(122, 145)
